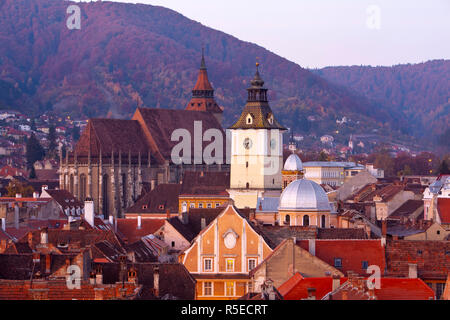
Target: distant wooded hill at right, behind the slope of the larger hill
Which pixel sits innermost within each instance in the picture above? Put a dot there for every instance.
(420, 91)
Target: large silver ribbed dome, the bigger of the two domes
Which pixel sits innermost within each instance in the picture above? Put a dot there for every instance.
(304, 194)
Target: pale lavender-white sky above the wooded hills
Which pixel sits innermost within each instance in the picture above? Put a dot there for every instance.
(318, 33)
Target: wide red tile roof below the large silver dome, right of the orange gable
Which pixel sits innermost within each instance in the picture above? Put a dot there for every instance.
(351, 252)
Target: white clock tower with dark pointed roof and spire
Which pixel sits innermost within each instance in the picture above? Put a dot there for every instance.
(256, 149)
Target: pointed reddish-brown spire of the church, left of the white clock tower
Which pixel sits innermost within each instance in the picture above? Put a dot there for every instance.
(203, 94)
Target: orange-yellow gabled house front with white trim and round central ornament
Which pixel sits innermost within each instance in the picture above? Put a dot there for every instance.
(222, 255)
